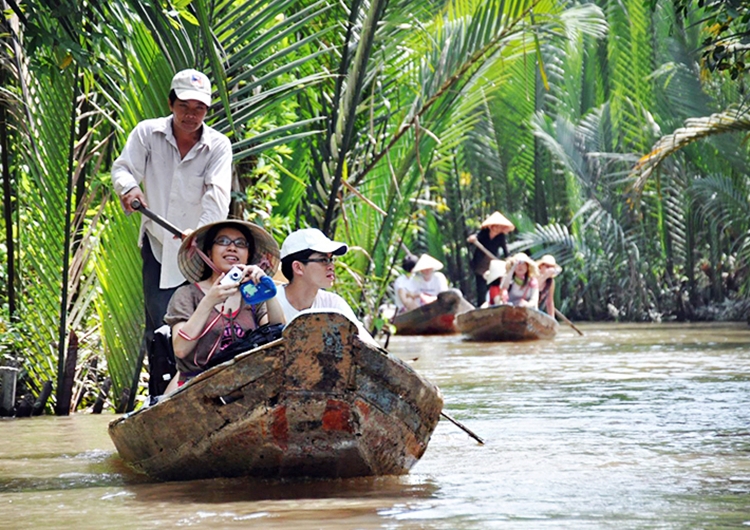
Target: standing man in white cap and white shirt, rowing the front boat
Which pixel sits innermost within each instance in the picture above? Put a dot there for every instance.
(185, 169)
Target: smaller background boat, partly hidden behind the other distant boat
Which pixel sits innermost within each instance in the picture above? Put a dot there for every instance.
(437, 318)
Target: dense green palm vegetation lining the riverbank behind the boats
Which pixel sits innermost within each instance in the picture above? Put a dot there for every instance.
(391, 125)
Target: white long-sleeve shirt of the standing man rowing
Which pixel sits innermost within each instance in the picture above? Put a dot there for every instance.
(188, 192)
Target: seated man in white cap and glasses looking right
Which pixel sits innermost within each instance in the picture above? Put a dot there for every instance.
(307, 261)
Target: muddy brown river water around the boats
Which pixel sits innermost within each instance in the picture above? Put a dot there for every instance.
(629, 426)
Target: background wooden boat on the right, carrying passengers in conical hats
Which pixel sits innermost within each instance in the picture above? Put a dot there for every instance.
(506, 323)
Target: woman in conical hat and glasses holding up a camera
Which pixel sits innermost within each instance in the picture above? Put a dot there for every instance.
(209, 314)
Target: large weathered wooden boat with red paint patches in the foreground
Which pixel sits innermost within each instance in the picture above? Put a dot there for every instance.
(319, 402)
